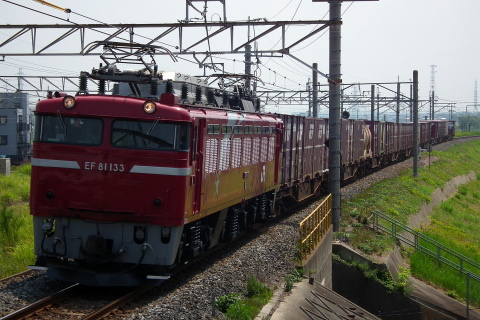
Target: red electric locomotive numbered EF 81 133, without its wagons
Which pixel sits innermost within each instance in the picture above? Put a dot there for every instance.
(124, 188)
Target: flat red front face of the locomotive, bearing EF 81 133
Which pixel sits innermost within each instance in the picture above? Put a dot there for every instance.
(109, 190)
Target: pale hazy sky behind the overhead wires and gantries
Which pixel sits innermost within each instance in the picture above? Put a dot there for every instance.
(382, 41)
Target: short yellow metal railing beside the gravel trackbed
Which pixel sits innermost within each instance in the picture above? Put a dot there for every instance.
(314, 227)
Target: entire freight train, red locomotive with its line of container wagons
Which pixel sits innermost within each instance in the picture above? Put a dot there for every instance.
(127, 186)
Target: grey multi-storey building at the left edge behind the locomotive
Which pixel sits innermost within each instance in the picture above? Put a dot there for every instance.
(15, 127)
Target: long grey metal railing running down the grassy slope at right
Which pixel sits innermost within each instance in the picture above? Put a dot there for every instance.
(442, 254)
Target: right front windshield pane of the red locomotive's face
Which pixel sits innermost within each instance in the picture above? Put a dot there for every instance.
(150, 135)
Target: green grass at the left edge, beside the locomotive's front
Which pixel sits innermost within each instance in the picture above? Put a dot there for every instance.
(16, 239)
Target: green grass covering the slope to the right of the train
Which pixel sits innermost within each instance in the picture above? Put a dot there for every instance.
(454, 222)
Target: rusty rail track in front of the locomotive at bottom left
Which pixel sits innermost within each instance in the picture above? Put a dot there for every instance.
(77, 302)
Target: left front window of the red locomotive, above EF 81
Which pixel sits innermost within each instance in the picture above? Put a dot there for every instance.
(68, 130)
